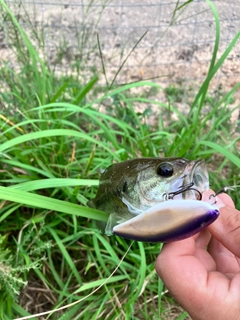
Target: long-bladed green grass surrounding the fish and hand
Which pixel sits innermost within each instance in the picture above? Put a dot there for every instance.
(54, 141)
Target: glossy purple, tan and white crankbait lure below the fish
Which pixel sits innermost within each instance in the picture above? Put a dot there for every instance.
(169, 221)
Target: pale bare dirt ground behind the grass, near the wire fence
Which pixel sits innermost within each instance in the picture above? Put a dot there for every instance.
(176, 49)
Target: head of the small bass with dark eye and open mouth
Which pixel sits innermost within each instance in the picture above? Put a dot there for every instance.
(162, 179)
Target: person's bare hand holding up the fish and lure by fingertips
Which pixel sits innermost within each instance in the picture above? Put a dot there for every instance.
(206, 283)
